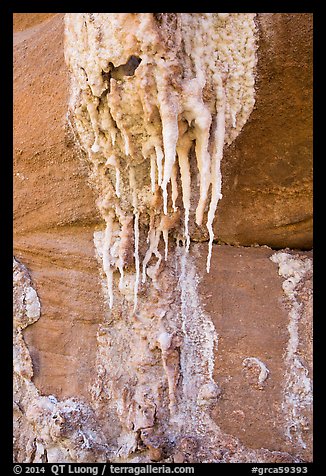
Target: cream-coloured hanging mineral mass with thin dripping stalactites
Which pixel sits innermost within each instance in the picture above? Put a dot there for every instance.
(150, 94)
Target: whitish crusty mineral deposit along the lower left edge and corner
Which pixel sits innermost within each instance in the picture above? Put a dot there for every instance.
(45, 429)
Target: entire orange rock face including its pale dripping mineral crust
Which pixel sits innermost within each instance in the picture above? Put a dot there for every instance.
(158, 159)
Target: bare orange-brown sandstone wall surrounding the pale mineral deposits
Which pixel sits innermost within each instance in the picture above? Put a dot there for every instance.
(267, 200)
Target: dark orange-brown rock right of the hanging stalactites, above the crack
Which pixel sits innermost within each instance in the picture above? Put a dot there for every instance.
(267, 172)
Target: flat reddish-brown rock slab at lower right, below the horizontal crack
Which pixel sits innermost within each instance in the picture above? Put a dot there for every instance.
(253, 316)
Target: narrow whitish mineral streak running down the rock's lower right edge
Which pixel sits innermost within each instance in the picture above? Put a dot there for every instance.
(298, 396)
